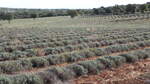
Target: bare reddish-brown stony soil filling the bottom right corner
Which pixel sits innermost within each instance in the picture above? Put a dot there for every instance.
(125, 74)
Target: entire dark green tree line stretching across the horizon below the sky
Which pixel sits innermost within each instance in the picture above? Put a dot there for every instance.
(9, 13)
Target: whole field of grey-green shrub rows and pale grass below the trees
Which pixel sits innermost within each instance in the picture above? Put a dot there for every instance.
(56, 50)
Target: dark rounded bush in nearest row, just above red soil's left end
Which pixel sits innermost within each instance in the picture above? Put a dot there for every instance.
(78, 69)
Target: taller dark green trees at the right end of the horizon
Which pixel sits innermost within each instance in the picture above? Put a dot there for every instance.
(123, 9)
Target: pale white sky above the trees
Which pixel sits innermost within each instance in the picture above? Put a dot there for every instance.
(72, 4)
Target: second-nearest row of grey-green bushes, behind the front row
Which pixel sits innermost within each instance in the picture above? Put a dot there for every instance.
(38, 62)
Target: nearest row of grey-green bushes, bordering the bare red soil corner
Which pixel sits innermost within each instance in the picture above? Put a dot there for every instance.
(54, 74)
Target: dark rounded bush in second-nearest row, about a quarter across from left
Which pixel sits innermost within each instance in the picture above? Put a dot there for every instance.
(39, 62)
